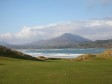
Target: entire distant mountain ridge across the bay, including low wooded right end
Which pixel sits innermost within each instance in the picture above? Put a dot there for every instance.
(66, 40)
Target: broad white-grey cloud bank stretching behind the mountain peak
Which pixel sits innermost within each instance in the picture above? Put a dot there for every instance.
(91, 29)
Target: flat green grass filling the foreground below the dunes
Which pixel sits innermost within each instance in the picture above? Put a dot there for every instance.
(14, 71)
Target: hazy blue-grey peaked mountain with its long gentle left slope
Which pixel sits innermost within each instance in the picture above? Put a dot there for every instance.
(64, 41)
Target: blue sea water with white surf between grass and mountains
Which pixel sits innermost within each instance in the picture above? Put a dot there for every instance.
(60, 53)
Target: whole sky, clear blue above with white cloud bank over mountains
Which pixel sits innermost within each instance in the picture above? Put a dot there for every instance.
(24, 21)
